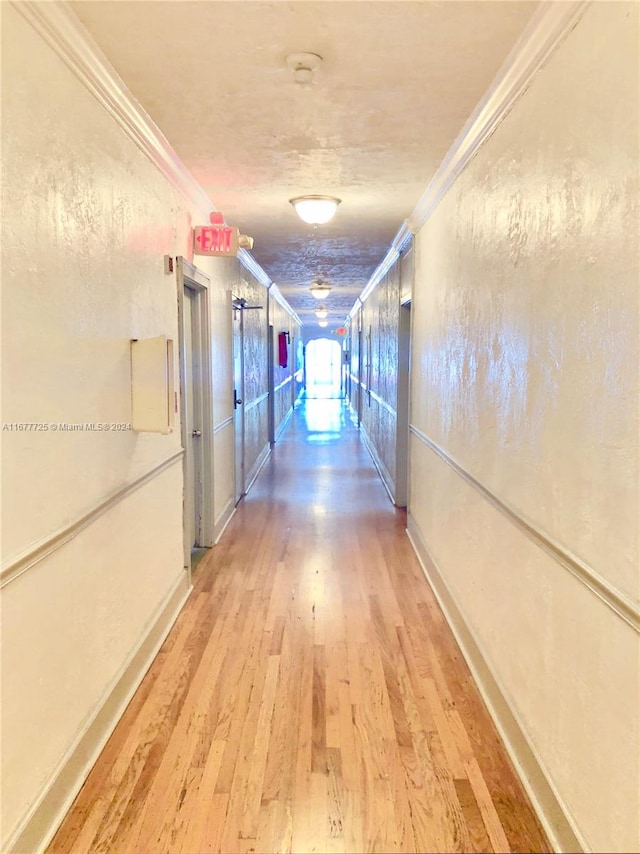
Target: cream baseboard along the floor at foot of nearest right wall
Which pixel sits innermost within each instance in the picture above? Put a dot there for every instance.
(549, 807)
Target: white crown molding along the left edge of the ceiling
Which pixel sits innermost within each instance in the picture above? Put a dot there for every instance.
(60, 27)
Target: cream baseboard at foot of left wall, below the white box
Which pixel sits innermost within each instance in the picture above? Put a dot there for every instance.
(38, 827)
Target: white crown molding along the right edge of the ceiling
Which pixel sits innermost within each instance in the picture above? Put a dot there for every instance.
(546, 30)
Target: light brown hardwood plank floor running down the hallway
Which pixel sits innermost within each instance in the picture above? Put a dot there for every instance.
(310, 697)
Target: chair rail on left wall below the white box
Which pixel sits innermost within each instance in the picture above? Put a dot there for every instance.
(36, 552)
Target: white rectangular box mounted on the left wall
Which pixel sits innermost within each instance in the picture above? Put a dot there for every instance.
(152, 385)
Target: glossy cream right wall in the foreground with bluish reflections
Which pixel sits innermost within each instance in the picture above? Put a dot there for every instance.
(525, 373)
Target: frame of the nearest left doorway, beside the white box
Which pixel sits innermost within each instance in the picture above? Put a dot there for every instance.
(188, 276)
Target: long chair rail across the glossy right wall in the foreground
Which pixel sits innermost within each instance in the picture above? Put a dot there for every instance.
(621, 604)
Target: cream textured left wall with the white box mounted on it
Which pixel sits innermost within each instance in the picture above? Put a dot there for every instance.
(87, 219)
